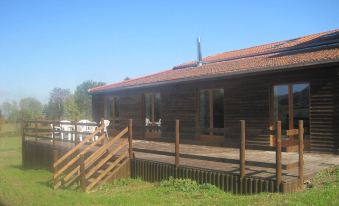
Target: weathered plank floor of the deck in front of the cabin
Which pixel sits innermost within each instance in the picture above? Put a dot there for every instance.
(257, 161)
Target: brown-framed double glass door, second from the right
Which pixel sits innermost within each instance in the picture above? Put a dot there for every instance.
(211, 111)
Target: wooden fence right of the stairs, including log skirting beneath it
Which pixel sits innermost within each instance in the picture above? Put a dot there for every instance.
(152, 170)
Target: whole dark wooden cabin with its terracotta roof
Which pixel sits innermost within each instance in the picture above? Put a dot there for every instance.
(291, 80)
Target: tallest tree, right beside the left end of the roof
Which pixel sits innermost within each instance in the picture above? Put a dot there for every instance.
(83, 99)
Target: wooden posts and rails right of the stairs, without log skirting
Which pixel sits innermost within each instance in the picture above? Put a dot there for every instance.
(242, 162)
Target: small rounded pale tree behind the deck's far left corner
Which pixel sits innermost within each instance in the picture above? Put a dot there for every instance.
(30, 108)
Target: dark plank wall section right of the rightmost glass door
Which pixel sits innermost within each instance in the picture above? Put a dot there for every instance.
(324, 113)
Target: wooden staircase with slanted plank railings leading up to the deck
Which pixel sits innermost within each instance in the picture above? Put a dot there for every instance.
(88, 165)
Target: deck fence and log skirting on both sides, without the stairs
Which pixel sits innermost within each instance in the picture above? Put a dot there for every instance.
(149, 170)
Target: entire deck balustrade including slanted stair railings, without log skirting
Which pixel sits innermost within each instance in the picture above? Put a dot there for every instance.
(76, 166)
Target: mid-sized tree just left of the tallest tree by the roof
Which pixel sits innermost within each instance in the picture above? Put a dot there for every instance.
(55, 107)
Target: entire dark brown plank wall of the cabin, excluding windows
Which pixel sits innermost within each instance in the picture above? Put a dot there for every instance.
(245, 97)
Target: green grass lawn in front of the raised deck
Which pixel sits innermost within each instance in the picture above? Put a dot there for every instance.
(32, 187)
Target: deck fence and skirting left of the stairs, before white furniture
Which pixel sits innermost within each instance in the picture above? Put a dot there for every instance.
(35, 155)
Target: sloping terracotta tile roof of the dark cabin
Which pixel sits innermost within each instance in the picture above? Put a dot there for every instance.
(308, 50)
